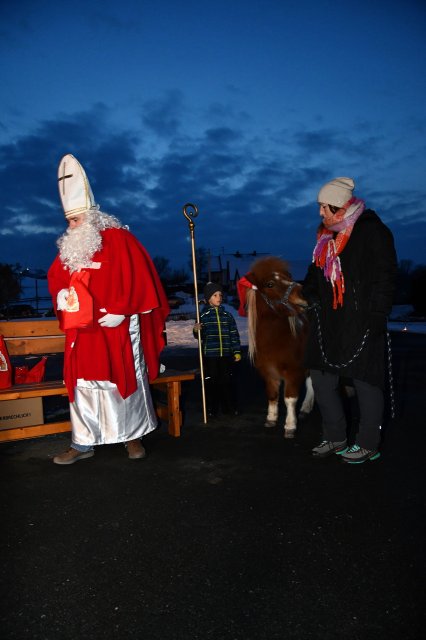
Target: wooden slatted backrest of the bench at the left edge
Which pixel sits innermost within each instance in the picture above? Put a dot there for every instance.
(32, 337)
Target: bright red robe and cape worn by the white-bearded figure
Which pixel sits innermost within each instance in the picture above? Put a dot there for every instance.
(126, 283)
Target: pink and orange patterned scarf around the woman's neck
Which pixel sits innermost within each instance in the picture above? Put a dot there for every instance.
(327, 249)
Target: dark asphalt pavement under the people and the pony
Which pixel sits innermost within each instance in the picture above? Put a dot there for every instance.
(230, 532)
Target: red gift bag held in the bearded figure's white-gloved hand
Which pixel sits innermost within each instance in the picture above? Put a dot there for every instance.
(78, 313)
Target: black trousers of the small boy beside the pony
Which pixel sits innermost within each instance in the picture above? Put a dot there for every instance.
(219, 384)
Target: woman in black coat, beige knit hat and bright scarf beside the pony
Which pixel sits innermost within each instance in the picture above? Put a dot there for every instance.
(351, 284)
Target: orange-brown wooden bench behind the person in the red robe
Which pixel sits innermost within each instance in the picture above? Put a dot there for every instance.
(36, 337)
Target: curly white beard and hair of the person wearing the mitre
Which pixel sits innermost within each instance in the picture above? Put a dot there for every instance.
(78, 246)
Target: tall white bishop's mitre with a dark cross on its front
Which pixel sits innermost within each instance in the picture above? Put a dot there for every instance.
(74, 188)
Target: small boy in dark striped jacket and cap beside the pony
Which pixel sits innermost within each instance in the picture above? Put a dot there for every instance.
(221, 348)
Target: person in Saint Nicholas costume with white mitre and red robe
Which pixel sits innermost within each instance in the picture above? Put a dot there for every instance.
(112, 307)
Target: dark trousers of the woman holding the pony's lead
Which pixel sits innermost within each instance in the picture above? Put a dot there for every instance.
(329, 399)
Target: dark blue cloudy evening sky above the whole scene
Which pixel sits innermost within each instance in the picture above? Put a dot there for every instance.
(244, 107)
